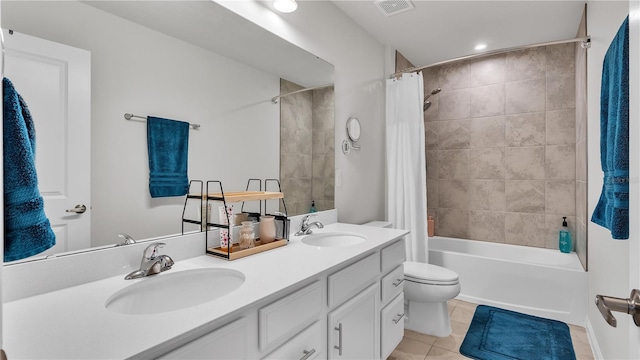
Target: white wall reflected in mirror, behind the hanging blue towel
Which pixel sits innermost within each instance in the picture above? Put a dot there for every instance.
(133, 71)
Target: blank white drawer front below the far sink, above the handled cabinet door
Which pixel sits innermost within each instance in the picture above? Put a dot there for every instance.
(351, 280)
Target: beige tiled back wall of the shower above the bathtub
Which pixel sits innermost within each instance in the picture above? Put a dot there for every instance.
(501, 146)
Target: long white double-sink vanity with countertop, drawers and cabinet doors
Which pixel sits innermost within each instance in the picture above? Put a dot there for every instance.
(296, 302)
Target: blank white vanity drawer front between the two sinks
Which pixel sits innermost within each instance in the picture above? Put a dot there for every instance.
(284, 318)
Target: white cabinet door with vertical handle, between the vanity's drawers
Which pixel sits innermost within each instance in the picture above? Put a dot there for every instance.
(353, 327)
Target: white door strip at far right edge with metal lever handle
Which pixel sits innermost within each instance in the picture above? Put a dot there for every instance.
(634, 167)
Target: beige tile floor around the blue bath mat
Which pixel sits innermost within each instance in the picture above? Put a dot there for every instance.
(416, 346)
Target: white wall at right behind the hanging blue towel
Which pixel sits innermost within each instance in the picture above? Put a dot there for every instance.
(608, 258)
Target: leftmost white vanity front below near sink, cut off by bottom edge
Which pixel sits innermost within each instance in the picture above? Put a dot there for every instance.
(227, 342)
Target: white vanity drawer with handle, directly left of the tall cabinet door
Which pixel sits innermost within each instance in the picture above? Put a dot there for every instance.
(306, 345)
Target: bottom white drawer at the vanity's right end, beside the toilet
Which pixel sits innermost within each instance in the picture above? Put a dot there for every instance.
(391, 325)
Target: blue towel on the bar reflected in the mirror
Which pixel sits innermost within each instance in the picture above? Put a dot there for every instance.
(168, 145)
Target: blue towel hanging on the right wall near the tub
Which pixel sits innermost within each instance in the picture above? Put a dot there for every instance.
(612, 210)
